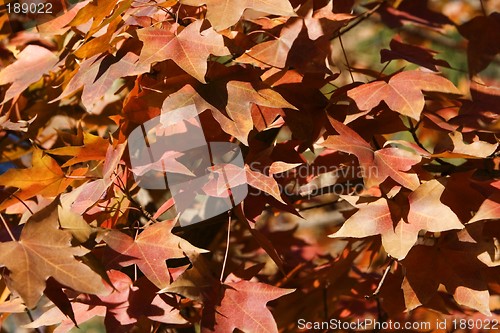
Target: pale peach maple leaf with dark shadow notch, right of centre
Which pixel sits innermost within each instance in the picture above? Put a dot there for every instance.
(399, 233)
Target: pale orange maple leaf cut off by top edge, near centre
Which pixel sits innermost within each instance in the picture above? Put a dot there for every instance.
(224, 13)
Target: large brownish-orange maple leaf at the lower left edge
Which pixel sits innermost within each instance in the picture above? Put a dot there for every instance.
(43, 251)
